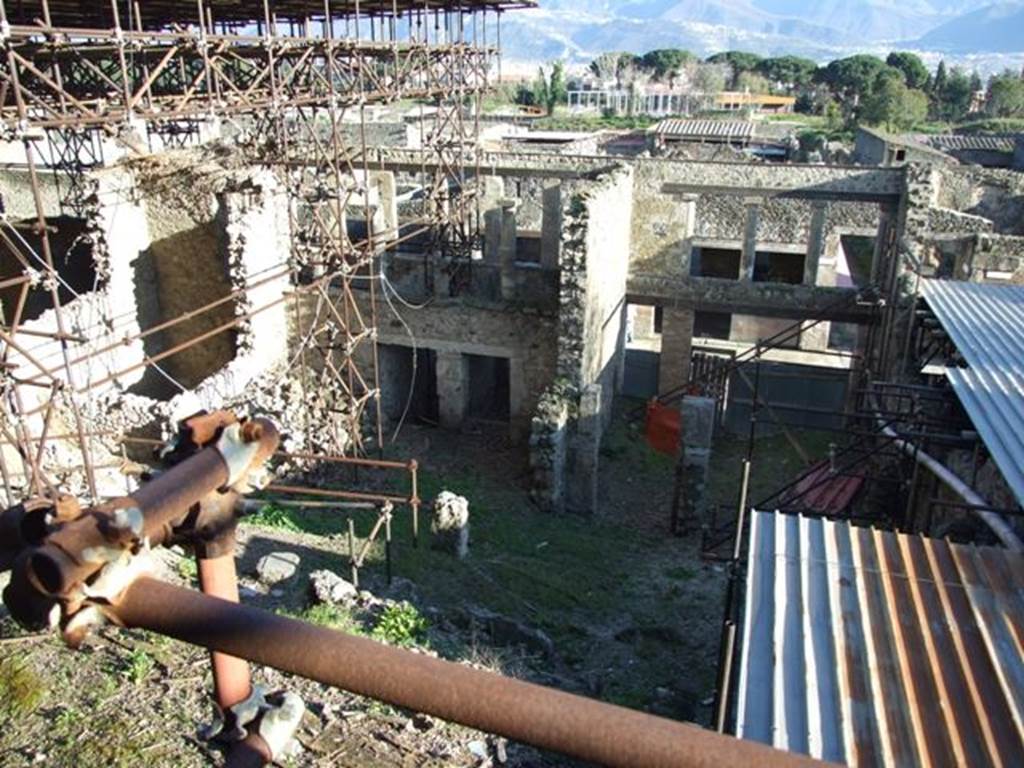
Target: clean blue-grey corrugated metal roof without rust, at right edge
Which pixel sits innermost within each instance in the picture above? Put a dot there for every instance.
(986, 323)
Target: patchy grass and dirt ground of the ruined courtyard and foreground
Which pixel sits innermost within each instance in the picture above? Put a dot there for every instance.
(610, 607)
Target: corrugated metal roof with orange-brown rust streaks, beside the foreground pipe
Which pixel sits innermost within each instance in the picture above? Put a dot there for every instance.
(868, 648)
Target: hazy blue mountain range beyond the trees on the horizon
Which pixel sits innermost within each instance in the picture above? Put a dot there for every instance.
(992, 34)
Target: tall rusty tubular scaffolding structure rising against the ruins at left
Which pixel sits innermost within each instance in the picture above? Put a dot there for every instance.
(293, 80)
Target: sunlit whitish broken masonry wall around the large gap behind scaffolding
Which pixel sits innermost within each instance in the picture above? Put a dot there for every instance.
(117, 394)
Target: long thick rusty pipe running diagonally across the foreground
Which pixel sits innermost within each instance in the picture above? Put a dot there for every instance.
(524, 712)
